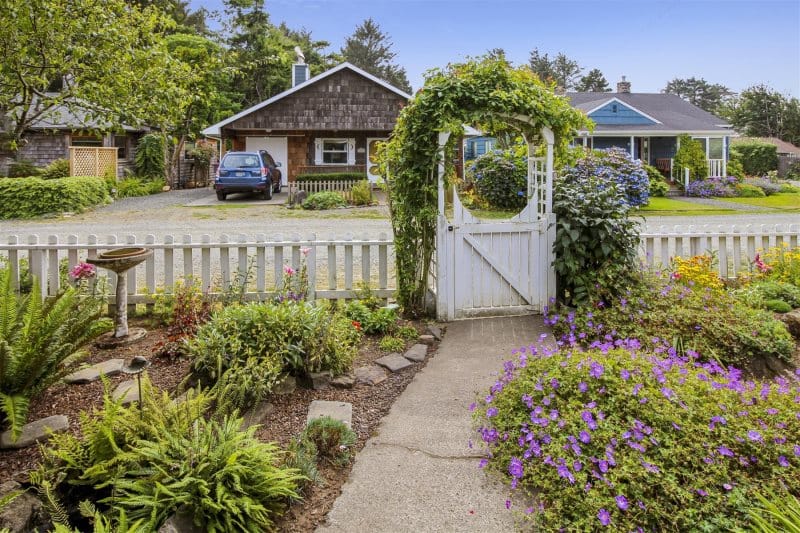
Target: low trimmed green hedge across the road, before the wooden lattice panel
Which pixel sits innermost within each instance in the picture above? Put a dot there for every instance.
(33, 197)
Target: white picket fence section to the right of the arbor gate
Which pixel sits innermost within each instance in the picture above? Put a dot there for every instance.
(734, 246)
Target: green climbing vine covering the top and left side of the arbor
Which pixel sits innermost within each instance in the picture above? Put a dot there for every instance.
(487, 92)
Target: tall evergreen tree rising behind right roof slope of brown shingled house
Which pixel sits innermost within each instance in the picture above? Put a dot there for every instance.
(370, 49)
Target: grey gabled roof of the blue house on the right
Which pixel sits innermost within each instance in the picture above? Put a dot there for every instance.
(673, 114)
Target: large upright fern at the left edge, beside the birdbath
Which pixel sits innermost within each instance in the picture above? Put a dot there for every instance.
(41, 341)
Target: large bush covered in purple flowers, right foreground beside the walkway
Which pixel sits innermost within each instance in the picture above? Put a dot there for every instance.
(630, 438)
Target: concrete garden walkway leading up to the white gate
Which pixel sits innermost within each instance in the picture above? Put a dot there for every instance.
(418, 473)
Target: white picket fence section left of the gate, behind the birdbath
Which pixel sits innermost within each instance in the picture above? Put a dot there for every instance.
(336, 268)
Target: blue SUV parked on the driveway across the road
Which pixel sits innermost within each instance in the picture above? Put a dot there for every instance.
(248, 172)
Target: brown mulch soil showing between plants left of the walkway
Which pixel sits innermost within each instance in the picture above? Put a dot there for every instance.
(370, 404)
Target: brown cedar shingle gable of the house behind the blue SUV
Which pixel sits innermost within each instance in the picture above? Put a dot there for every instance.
(341, 102)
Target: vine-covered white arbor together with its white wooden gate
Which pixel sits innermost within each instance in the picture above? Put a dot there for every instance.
(494, 96)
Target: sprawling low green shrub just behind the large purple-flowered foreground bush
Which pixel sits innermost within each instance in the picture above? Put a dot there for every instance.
(710, 322)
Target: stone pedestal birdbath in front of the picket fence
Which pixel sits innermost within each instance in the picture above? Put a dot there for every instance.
(120, 261)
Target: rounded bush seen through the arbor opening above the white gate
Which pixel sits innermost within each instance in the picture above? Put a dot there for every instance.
(500, 178)
